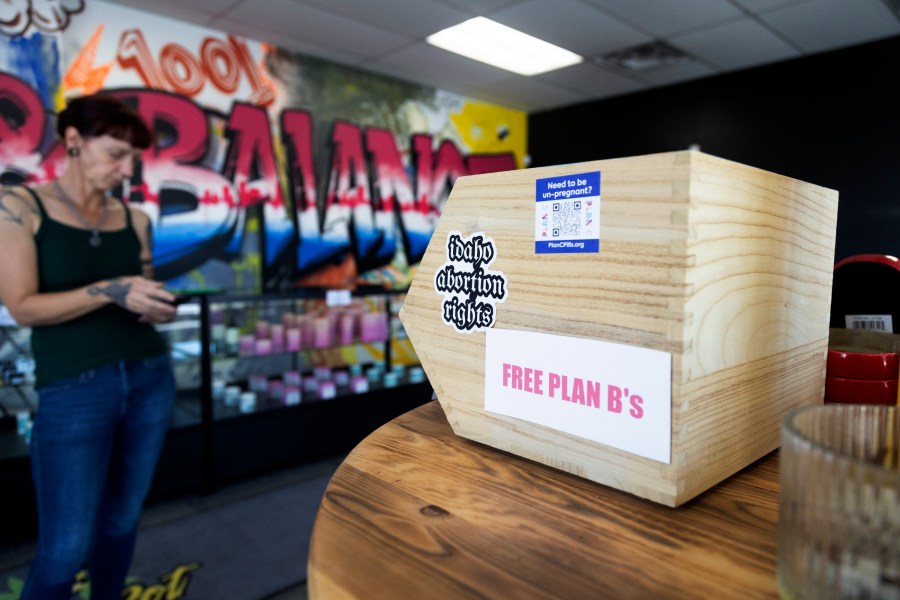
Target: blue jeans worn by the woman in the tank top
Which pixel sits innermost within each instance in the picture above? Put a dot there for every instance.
(96, 440)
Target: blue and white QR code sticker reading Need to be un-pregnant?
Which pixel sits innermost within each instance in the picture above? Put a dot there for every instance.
(567, 214)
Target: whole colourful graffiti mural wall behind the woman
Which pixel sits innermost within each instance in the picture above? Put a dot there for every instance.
(270, 169)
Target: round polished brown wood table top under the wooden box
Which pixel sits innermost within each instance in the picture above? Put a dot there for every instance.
(418, 512)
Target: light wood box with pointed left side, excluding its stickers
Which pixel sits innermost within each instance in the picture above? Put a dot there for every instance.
(726, 267)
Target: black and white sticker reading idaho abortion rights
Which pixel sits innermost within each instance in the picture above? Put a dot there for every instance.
(471, 290)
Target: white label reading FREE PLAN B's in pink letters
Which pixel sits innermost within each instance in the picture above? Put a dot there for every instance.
(614, 394)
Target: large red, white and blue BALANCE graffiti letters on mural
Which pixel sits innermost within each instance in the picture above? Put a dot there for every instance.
(218, 186)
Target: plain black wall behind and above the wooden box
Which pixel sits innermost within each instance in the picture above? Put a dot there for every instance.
(832, 119)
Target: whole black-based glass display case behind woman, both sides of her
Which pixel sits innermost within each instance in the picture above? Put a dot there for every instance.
(263, 381)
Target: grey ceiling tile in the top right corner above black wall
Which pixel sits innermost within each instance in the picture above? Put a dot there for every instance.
(821, 25)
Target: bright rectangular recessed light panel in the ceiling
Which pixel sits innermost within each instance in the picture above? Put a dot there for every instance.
(490, 42)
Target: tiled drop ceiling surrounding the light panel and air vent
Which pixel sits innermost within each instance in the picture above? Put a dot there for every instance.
(387, 36)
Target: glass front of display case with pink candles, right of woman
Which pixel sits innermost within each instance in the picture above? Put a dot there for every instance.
(246, 354)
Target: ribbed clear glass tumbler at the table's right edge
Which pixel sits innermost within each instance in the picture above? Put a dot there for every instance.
(839, 504)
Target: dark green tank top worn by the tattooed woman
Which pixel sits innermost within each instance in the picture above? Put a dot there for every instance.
(109, 334)
